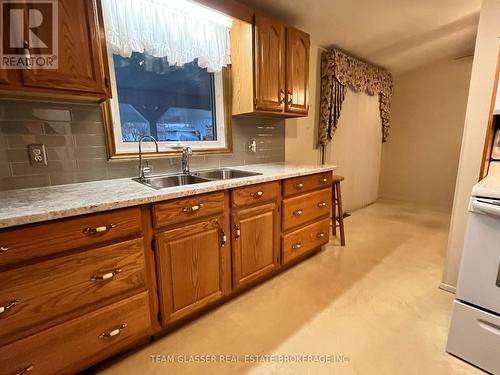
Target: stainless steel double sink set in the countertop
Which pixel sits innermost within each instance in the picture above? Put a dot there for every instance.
(180, 179)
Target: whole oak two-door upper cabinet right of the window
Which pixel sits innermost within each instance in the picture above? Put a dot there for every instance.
(277, 84)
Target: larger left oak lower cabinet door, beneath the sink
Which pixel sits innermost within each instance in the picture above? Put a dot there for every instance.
(193, 267)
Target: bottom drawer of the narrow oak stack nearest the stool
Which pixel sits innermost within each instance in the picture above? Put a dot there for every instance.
(305, 239)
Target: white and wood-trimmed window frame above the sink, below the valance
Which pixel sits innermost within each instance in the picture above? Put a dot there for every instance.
(117, 149)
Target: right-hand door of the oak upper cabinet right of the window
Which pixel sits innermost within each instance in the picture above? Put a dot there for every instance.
(297, 71)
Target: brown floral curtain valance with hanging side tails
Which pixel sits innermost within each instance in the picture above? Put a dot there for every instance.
(339, 71)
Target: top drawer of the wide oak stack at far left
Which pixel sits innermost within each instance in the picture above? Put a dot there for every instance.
(38, 240)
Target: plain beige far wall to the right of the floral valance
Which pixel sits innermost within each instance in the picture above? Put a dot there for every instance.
(420, 160)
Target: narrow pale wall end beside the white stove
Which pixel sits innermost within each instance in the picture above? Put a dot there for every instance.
(476, 119)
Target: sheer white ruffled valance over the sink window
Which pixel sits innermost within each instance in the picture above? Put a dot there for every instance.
(179, 30)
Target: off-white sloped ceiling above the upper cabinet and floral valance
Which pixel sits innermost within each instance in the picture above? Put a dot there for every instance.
(399, 35)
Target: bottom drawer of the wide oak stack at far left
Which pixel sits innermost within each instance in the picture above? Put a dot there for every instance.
(78, 343)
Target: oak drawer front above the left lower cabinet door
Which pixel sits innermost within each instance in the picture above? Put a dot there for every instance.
(184, 209)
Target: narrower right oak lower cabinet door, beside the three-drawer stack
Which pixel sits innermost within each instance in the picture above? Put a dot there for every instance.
(256, 242)
